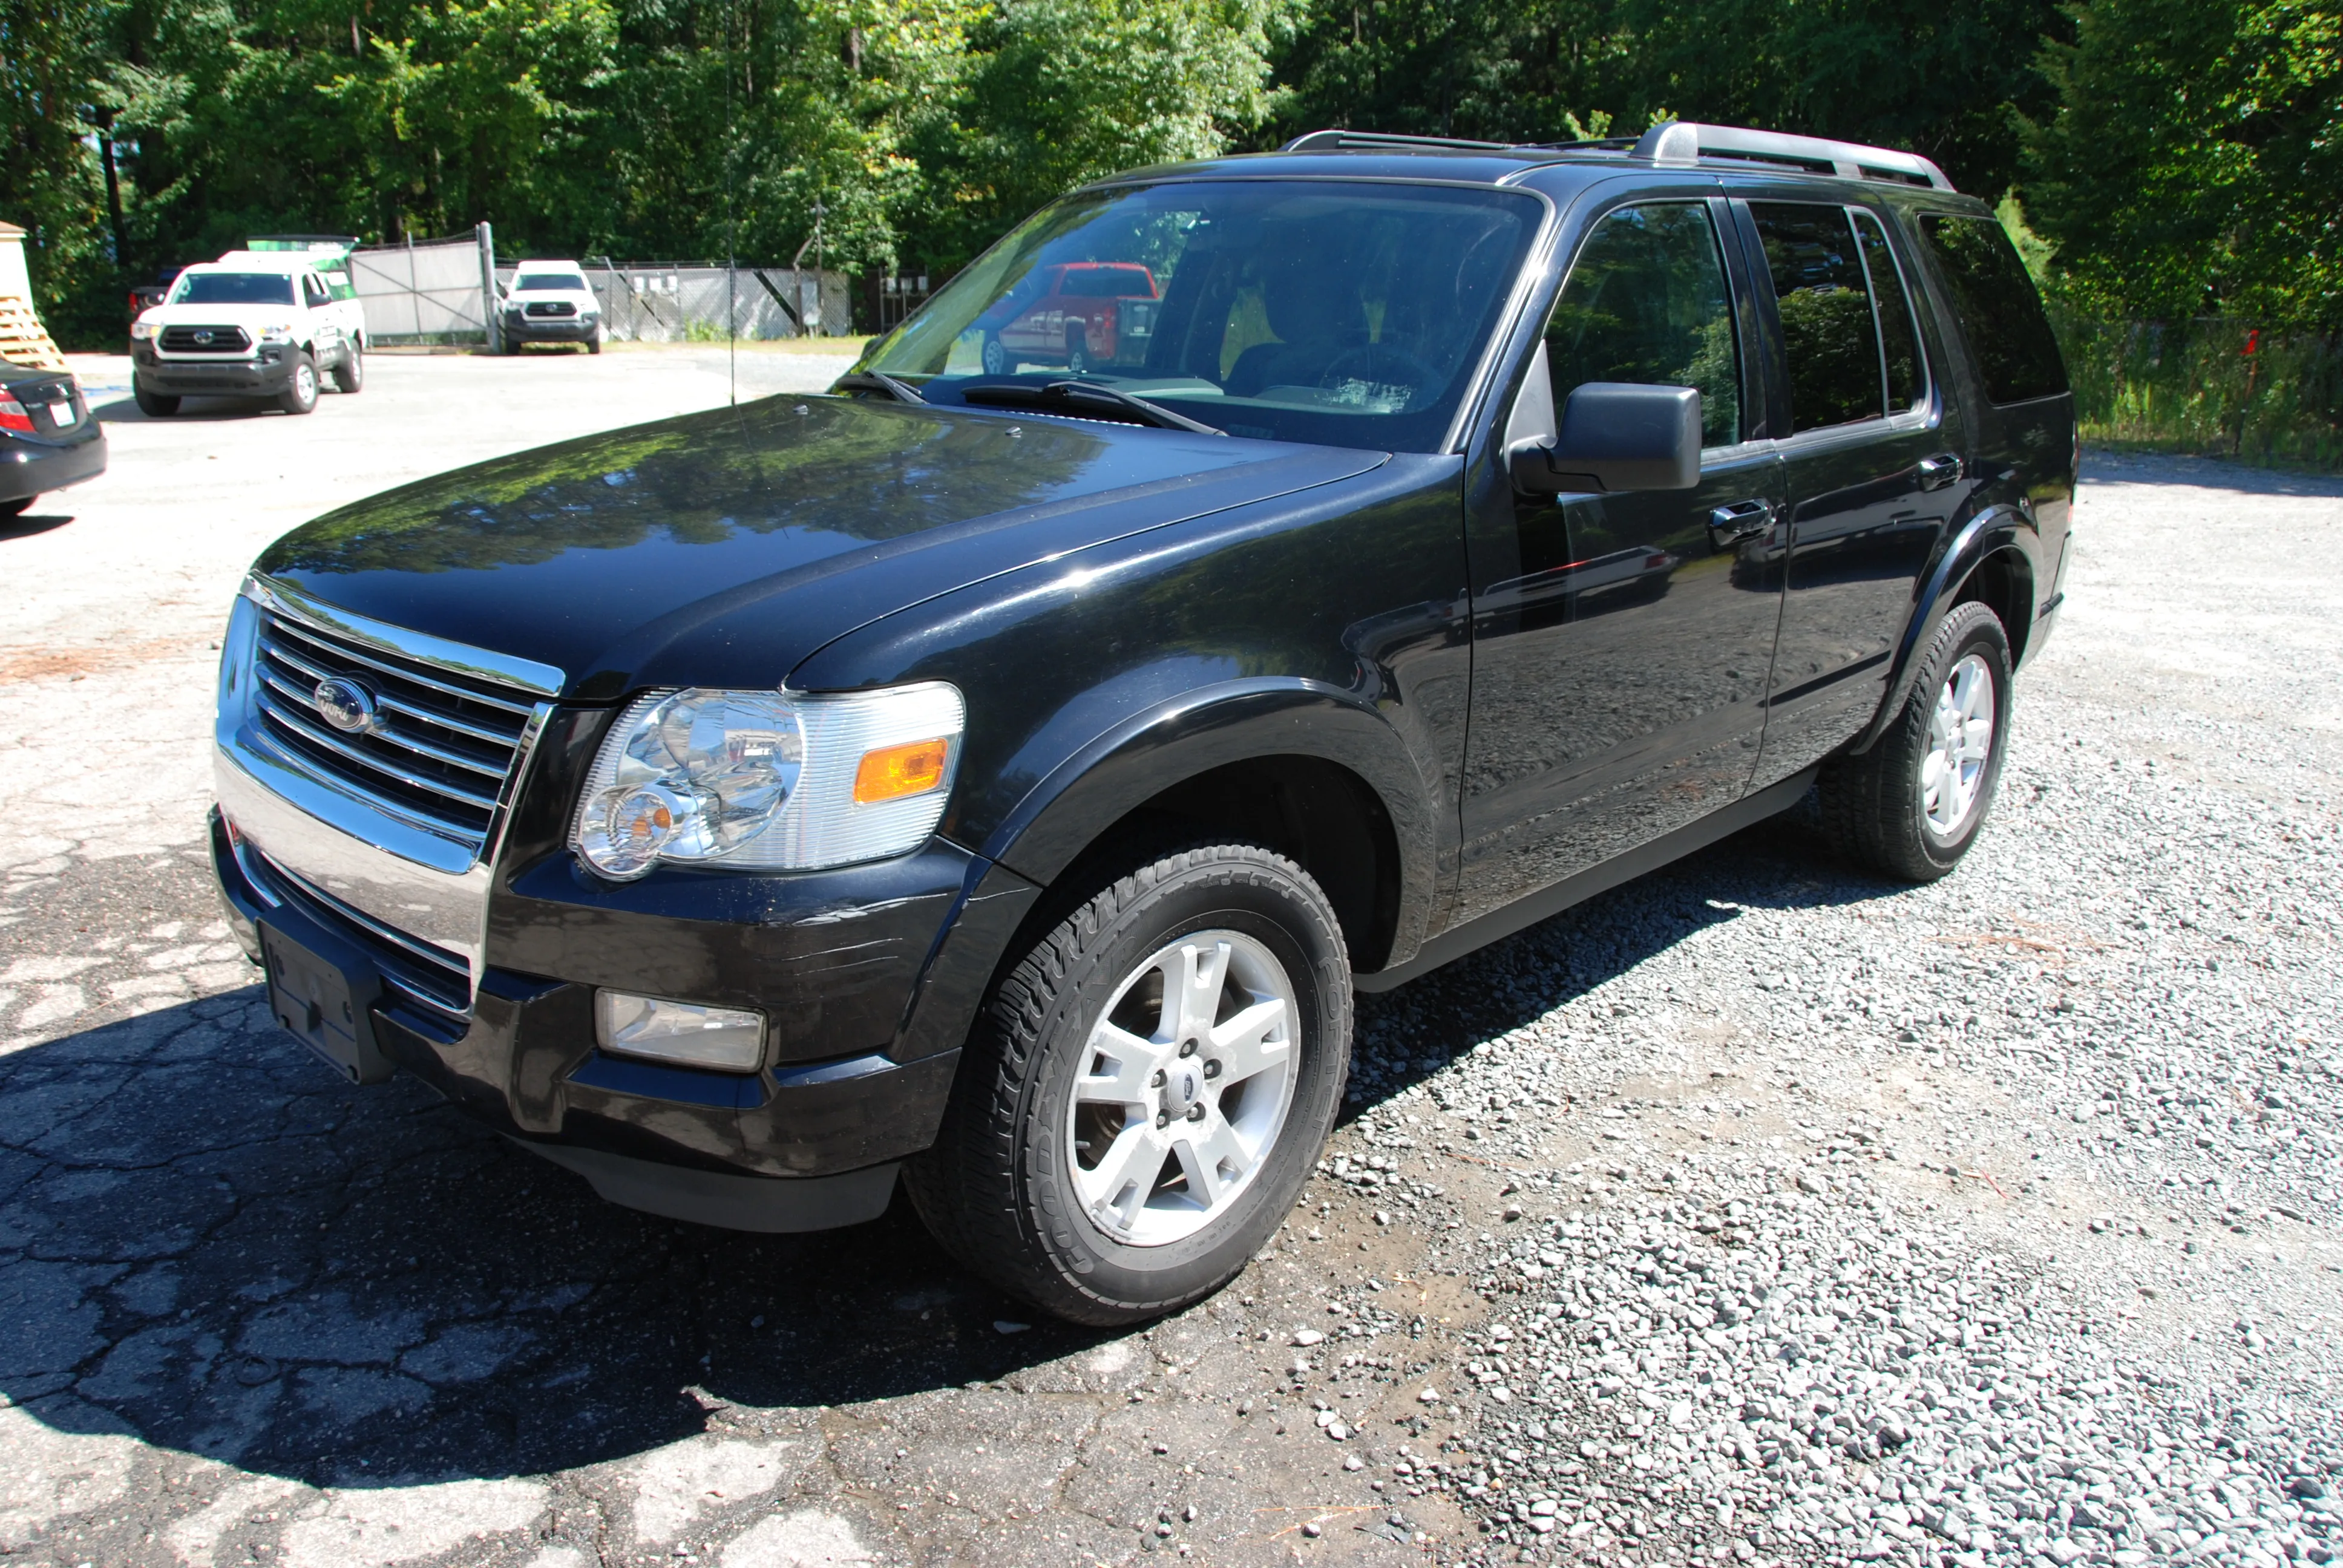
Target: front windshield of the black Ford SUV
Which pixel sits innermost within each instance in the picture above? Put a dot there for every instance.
(1285, 311)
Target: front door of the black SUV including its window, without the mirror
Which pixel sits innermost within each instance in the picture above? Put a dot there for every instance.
(1620, 674)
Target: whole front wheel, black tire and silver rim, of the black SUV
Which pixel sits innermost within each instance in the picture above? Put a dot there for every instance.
(1018, 1182)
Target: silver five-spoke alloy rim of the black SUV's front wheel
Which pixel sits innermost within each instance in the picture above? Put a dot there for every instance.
(1184, 1089)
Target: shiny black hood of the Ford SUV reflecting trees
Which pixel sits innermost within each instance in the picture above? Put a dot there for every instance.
(728, 547)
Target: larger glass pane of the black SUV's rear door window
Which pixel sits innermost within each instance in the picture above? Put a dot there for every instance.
(1829, 334)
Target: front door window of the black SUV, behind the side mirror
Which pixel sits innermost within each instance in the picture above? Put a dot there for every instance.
(1648, 304)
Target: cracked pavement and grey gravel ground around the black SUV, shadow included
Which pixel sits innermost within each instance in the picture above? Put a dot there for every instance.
(1754, 1213)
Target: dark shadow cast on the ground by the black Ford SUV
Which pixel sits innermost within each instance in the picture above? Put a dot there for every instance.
(214, 1243)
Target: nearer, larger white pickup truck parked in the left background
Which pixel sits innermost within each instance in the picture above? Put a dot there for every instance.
(257, 325)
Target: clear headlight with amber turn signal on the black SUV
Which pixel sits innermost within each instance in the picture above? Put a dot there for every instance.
(770, 779)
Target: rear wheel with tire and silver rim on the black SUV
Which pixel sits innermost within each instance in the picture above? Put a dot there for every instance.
(1897, 807)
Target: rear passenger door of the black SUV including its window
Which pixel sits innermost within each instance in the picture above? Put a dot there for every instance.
(1871, 465)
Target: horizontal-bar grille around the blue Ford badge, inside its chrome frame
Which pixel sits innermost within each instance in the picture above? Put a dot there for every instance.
(439, 746)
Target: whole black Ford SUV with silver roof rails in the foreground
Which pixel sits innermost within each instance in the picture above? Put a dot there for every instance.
(1004, 775)
